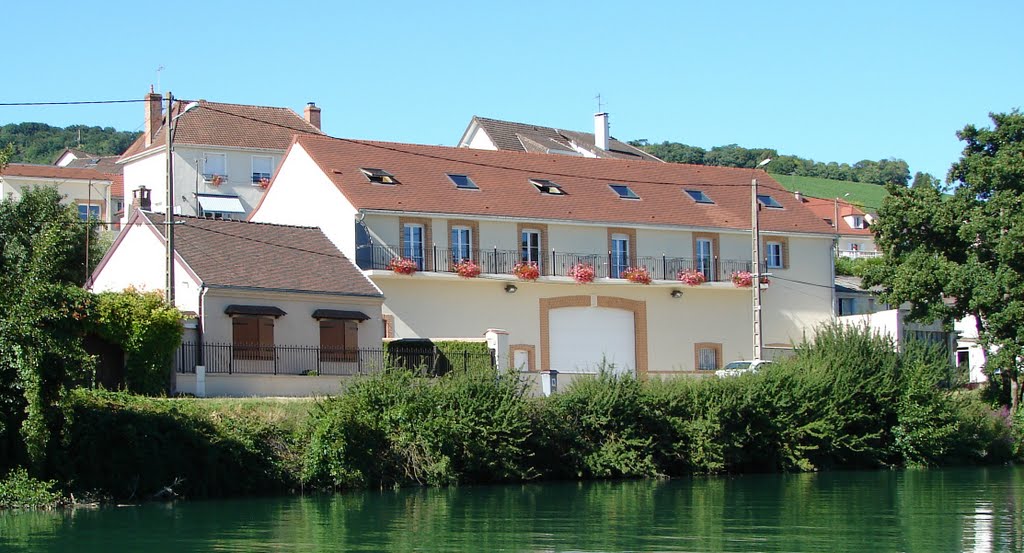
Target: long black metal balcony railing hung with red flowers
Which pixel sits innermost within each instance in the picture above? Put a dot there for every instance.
(552, 264)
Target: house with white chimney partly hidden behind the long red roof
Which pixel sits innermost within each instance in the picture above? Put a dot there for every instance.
(486, 134)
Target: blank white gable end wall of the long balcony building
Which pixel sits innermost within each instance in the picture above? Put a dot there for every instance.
(303, 195)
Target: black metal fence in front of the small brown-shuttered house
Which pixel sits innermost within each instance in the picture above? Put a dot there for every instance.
(316, 361)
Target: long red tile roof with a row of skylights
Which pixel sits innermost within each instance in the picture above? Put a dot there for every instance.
(506, 192)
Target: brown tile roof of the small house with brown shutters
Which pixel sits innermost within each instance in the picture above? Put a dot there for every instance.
(265, 257)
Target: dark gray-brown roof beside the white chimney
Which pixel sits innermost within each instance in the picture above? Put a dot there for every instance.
(514, 137)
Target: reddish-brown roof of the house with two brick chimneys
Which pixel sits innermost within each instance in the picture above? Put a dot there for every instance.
(231, 125)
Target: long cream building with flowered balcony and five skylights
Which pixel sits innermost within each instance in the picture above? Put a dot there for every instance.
(462, 240)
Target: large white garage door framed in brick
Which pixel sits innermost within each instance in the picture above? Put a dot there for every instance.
(582, 337)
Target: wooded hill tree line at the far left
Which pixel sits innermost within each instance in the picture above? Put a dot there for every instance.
(39, 143)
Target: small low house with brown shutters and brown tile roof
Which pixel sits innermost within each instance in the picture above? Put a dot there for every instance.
(274, 310)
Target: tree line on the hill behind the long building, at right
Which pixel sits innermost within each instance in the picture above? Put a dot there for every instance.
(891, 172)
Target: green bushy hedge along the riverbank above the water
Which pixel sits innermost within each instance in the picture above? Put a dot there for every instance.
(848, 402)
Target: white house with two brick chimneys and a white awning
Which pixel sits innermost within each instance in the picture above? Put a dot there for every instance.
(225, 154)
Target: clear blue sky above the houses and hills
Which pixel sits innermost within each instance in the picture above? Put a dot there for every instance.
(831, 81)
